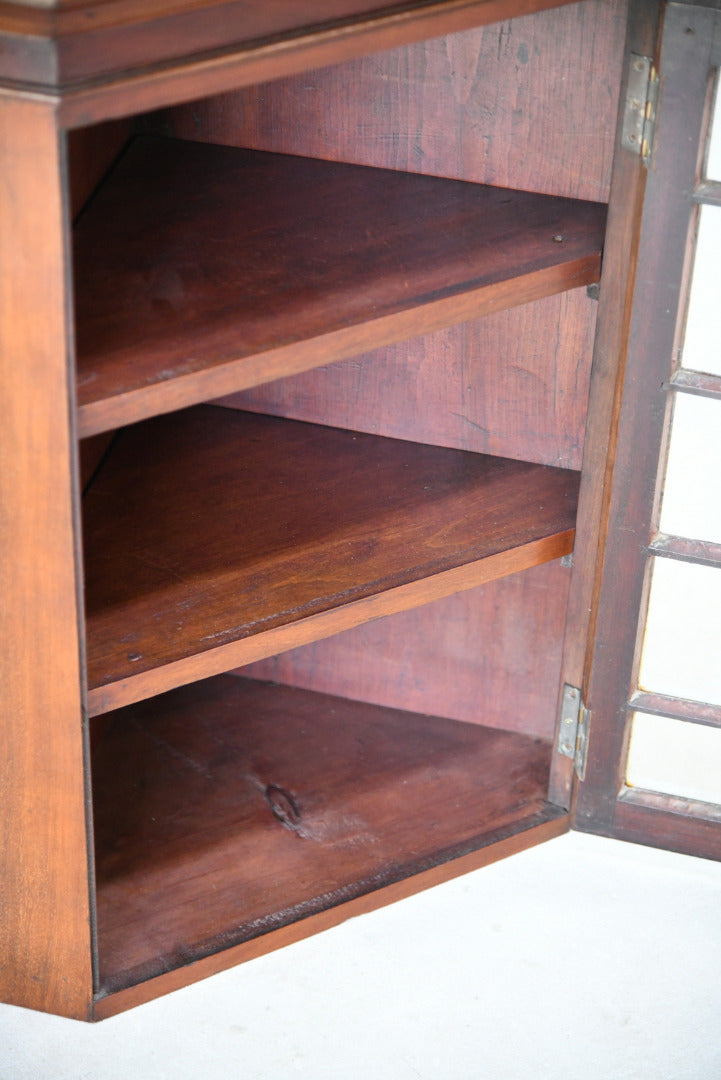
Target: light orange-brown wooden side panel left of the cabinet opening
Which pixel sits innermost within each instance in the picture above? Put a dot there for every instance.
(45, 930)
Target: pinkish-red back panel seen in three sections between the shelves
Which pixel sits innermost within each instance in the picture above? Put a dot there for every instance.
(527, 104)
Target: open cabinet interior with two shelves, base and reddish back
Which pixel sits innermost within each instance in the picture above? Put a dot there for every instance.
(331, 484)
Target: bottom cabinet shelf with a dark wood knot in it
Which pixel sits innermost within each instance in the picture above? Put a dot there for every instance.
(230, 808)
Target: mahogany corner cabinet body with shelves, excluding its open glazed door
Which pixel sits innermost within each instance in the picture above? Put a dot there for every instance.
(316, 325)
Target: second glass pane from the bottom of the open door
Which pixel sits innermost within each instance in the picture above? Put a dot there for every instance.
(682, 652)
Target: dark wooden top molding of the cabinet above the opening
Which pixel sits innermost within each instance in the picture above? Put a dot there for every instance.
(114, 58)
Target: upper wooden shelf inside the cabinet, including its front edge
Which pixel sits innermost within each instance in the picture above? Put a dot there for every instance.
(201, 269)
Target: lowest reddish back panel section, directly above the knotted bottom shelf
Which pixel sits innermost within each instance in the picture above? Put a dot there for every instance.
(491, 656)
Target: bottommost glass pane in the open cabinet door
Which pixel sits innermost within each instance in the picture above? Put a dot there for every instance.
(675, 758)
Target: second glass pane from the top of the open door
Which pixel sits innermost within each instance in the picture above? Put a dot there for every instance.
(702, 347)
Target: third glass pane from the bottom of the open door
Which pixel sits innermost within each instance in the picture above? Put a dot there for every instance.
(692, 492)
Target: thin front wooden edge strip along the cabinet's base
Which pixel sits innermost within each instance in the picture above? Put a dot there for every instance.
(501, 844)
